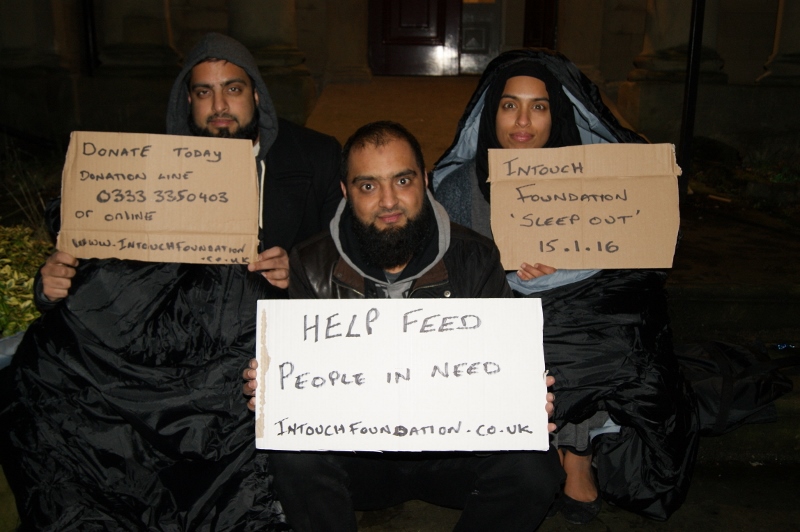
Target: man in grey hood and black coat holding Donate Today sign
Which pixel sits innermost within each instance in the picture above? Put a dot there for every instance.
(220, 93)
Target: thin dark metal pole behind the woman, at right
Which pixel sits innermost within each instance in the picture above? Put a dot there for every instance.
(690, 93)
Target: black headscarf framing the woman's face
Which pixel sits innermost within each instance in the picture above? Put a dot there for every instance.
(563, 131)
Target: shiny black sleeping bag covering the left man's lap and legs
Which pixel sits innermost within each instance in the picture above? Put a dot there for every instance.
(123, 410)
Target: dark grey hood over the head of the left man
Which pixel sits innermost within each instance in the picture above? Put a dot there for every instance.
(218, 46)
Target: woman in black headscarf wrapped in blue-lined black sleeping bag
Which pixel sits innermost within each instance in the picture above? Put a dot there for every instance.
(606, 333)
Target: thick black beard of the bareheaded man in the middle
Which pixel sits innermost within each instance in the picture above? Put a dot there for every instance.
(390, 248)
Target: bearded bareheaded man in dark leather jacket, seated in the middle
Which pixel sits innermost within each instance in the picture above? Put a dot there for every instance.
(391, 239)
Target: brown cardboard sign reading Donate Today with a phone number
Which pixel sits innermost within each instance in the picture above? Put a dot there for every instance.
(159, 198)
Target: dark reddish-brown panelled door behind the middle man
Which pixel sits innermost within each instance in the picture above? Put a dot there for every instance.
(414, 37)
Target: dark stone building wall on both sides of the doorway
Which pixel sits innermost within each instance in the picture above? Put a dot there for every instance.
(51, 85)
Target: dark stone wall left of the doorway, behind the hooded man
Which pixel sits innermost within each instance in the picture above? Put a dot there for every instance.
(52, 84)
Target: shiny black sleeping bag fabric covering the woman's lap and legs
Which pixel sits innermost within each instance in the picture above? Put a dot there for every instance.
(607, 342)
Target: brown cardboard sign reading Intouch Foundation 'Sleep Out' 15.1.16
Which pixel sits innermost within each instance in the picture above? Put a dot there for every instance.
(595, 206)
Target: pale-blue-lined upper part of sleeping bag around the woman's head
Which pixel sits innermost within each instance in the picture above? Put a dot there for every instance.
(579, 117)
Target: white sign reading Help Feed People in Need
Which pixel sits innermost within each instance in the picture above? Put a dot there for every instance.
(401, 375)
